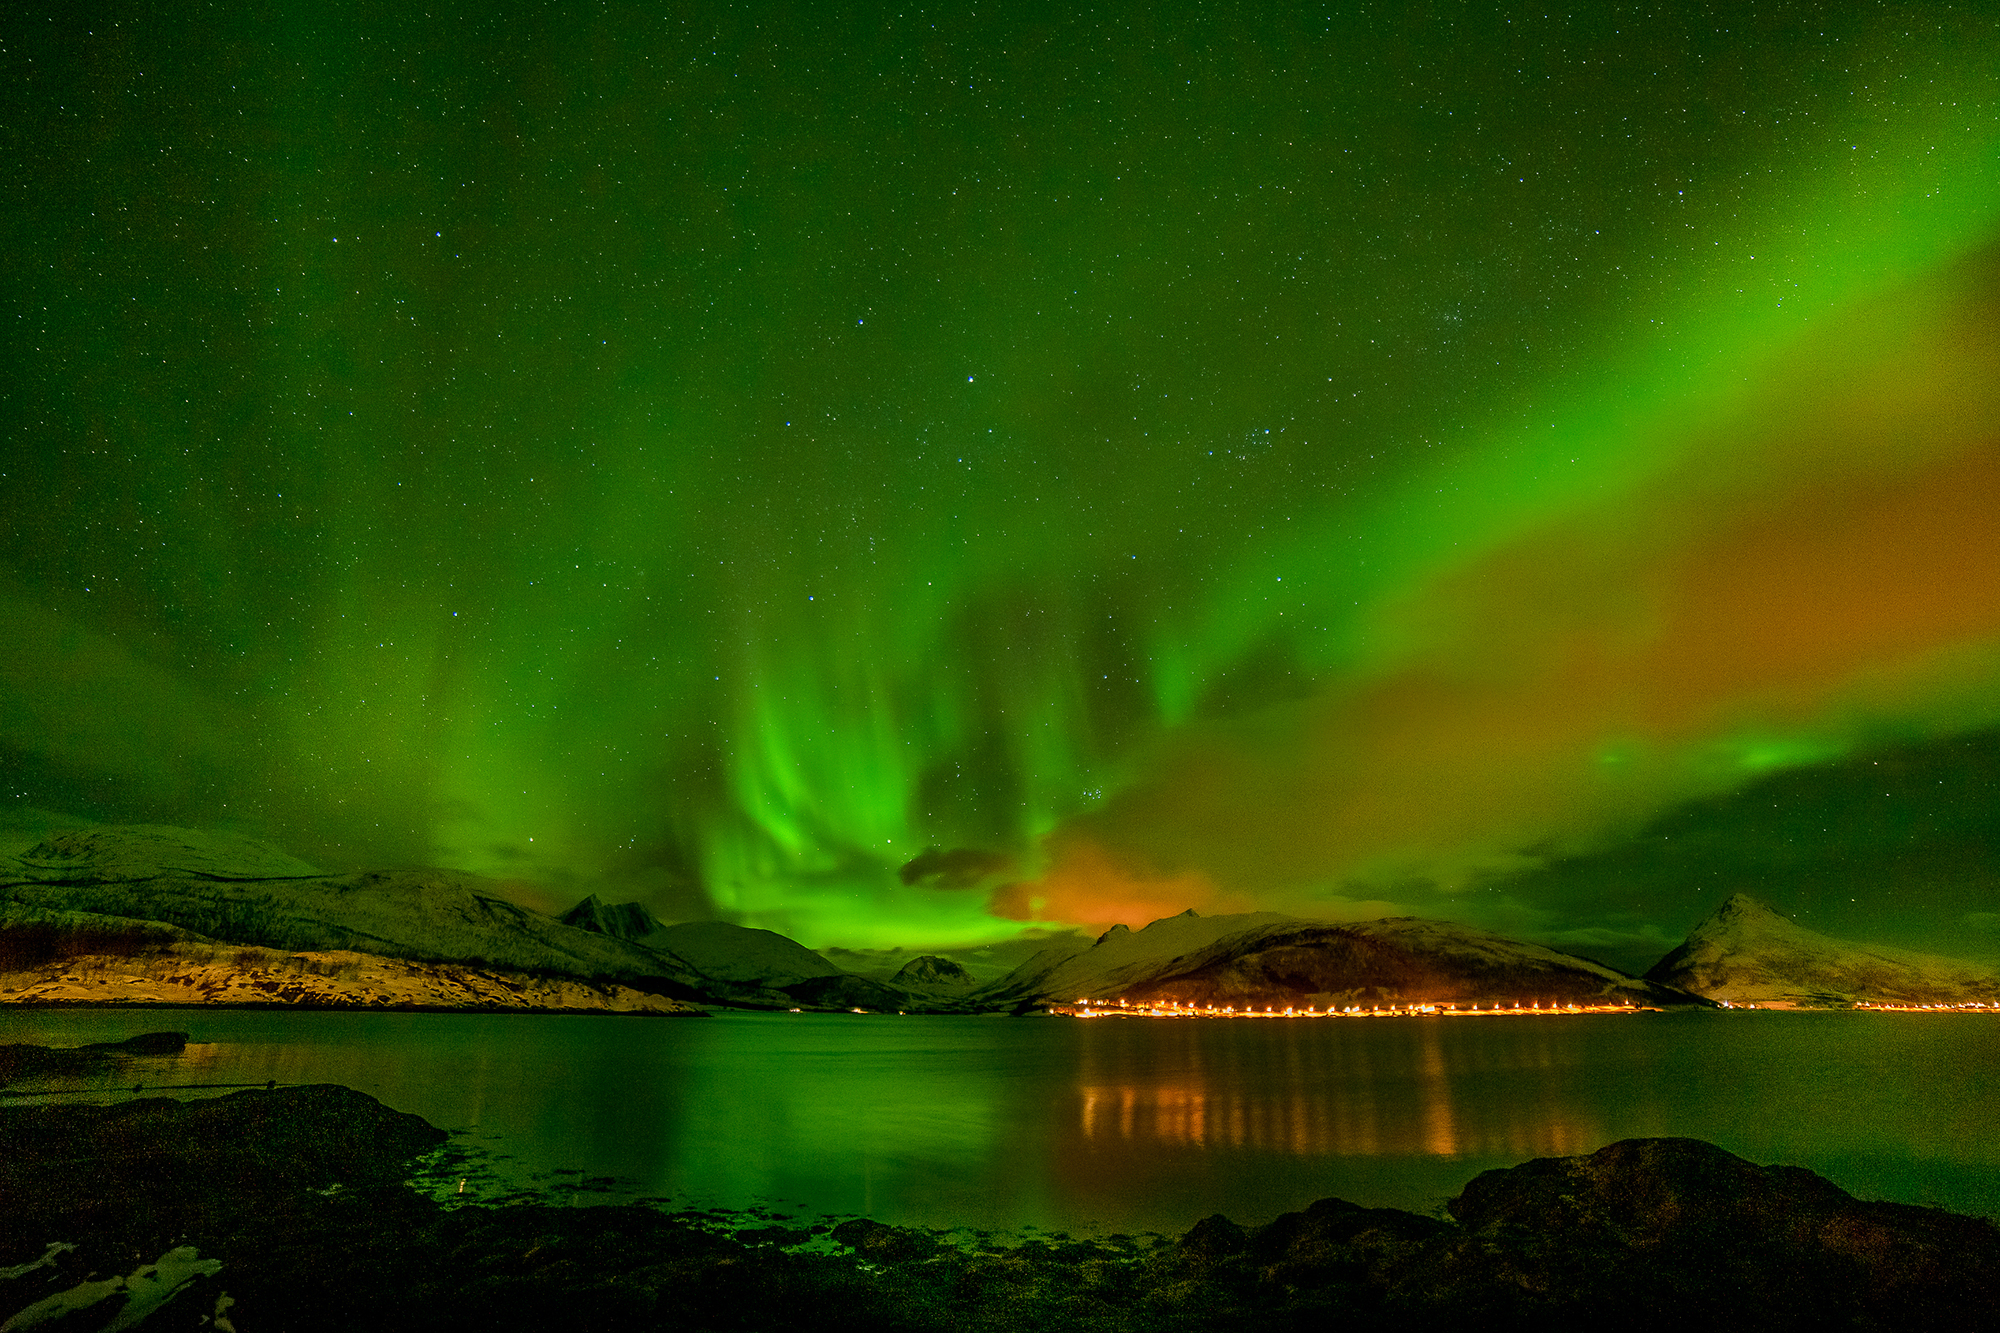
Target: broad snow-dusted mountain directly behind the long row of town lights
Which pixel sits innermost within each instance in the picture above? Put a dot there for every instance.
(1275, 960)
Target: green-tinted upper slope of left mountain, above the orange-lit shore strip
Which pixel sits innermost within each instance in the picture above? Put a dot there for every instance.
(233, 890)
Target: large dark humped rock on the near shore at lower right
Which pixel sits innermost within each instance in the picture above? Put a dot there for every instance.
(1683, 1234)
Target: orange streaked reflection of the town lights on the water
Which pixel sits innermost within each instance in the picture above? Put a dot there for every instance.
(1321, 1090)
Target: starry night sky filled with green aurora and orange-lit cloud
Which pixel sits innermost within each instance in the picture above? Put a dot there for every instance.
(917, 475)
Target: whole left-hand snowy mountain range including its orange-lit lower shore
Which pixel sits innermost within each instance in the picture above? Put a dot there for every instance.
(151, 914)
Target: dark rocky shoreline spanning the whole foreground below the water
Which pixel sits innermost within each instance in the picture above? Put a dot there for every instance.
(285, 1210)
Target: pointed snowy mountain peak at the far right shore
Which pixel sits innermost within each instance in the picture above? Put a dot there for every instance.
(1745, 954)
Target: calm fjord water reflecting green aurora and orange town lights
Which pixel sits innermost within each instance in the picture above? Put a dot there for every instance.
(1125, 1126)
